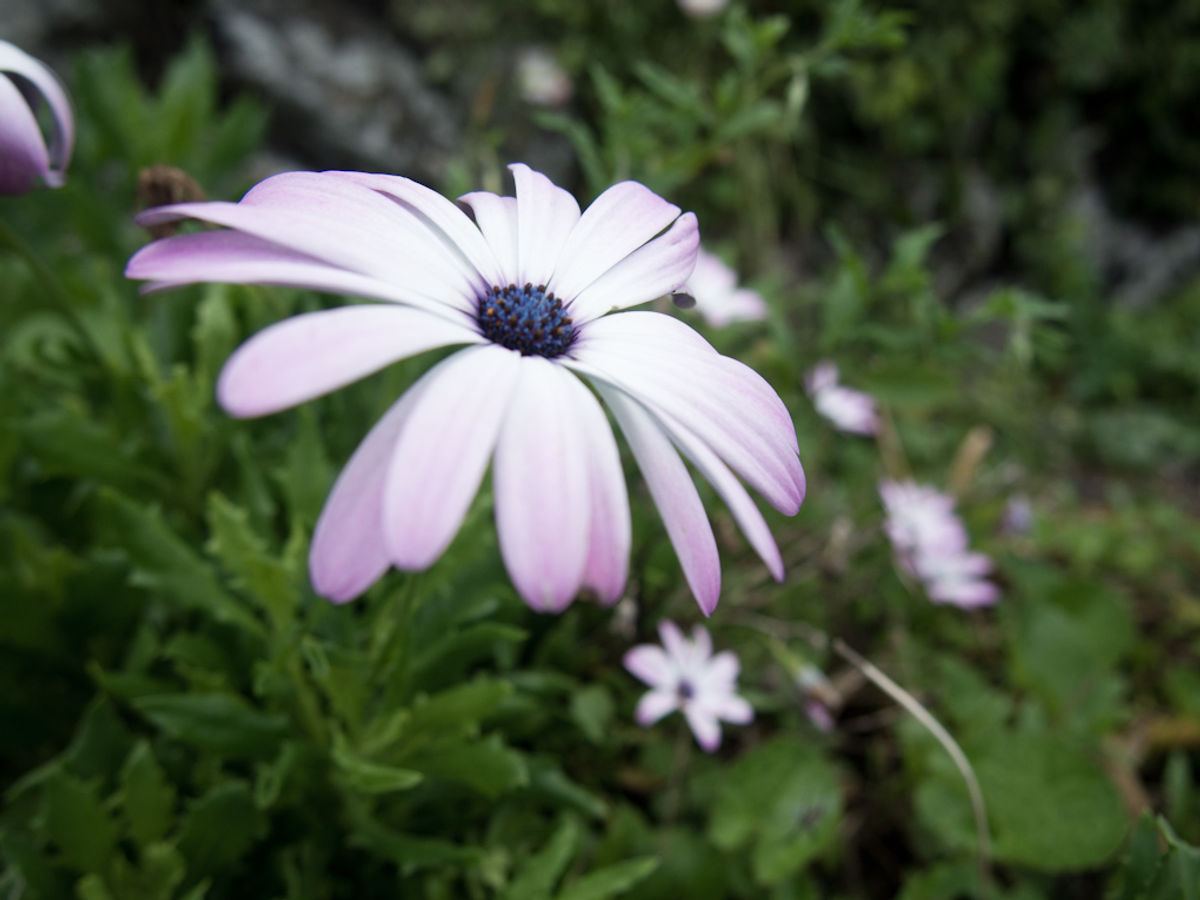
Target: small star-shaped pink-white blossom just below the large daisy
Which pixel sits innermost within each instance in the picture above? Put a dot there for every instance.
(686, 676)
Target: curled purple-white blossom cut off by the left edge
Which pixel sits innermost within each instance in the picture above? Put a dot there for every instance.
(27, 158)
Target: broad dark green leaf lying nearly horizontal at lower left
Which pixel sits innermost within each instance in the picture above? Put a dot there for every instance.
(223, 723)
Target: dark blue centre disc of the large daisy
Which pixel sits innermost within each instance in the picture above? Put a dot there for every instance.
(526, 320)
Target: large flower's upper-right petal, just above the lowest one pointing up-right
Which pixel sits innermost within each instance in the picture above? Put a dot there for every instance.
(620, 221)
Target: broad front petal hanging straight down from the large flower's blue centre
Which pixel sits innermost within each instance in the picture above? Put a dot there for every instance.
(541, 481)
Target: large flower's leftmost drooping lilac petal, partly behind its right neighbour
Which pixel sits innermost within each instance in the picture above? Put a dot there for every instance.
(349, 554)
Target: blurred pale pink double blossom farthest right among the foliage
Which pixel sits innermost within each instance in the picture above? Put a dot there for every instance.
(931, 543)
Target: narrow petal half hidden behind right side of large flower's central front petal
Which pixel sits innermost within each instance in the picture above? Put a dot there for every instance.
(609, 532)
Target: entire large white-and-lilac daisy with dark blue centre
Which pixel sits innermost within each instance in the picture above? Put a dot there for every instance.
(526, 284)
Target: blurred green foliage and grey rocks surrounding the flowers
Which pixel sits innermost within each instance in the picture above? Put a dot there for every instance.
(985, 212)
